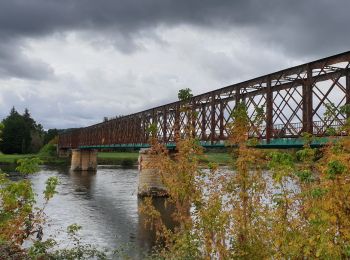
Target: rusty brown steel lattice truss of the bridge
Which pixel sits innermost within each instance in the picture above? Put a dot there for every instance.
(294, 101)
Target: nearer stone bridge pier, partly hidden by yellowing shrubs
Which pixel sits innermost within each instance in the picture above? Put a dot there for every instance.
(150, 181)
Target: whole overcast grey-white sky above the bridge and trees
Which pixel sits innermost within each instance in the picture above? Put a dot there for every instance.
(72, 62)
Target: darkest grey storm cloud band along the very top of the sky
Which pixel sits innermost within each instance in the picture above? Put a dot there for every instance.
(302, 24)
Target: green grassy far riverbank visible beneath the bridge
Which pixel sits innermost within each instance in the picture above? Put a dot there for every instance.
(110, 158)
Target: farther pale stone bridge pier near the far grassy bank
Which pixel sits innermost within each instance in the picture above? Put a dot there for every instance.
(84, 160)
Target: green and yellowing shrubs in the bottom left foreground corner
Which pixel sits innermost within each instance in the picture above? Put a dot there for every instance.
(20, 220)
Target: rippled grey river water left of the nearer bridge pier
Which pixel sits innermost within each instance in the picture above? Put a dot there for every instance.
(104, 203)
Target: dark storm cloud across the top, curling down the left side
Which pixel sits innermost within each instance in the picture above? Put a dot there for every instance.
(301, 28)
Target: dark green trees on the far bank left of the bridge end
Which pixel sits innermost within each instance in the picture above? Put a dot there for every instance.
(21, 134)
